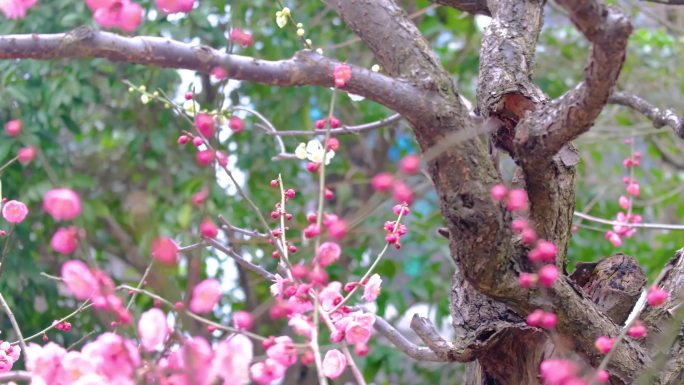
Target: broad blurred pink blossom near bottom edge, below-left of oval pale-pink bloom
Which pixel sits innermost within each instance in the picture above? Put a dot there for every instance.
(117, 358)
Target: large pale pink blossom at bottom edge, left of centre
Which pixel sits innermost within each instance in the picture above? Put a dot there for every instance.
(233, 357)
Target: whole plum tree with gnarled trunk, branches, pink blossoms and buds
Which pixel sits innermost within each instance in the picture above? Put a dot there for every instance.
(519, 316)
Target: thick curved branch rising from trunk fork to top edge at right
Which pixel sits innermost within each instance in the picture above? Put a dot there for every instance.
(608, 29)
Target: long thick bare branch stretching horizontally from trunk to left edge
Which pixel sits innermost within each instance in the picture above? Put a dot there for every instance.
(305, 68)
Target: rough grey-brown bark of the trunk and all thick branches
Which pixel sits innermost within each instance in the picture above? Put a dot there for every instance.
(487, 304)
